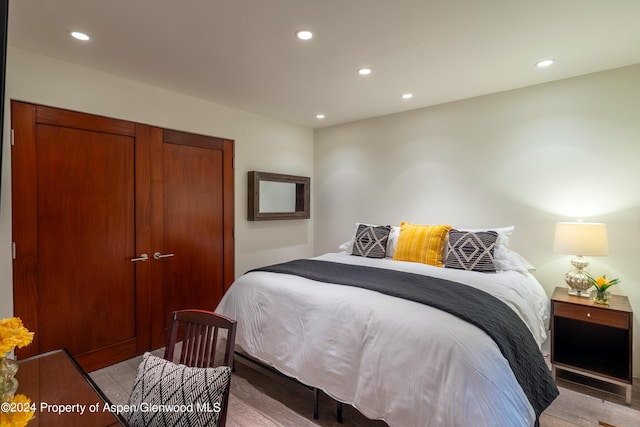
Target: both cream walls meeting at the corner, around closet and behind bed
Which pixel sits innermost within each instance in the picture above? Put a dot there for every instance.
(528, 157)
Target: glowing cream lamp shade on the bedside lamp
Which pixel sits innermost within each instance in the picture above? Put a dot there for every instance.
(581, 238)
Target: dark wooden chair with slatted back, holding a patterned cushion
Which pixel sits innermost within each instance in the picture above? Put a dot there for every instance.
(199, 343)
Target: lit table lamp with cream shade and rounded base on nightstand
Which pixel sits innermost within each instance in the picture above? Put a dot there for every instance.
(580, 239)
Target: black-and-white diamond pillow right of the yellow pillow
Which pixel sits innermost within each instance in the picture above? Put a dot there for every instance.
(471, 250)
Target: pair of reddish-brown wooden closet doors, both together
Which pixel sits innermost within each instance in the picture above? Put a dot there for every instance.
(91, 195)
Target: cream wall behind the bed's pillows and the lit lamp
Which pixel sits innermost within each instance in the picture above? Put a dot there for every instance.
(528, 157)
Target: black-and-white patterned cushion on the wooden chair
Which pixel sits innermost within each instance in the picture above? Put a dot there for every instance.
(191, 396)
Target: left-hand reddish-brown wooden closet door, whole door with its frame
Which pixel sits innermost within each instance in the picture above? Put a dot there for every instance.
(74, 218)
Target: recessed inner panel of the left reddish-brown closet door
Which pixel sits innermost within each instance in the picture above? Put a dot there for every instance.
(85, 239)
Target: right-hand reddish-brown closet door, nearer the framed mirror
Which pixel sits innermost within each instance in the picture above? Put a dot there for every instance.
(193, 225)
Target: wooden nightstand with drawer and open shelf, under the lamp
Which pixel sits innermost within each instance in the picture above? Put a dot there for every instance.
(591, 339)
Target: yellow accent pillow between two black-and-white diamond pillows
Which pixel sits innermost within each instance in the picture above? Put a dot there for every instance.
(421, 243)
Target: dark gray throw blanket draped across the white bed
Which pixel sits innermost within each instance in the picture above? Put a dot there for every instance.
(475, 306)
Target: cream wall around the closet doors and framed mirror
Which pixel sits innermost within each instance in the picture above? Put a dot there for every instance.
(261, 143)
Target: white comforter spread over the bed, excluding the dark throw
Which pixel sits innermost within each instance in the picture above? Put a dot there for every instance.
(392, 359)
